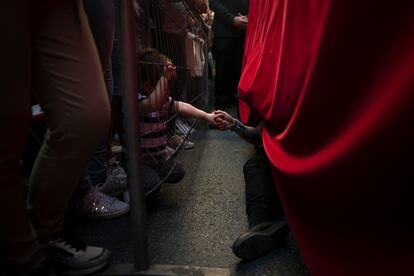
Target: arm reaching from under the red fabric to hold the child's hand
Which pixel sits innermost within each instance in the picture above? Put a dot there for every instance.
(252, 135)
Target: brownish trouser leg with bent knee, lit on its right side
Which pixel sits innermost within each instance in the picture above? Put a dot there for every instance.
(71, 90)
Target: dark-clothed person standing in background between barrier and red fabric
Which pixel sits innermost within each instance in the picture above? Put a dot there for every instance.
(229, 26)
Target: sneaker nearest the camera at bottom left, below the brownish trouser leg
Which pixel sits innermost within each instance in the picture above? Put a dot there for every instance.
(71, 256)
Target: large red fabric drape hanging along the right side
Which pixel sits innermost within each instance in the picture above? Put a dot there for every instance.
(334, 83)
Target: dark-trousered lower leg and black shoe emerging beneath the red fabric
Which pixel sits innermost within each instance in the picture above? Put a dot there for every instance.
(267, 226)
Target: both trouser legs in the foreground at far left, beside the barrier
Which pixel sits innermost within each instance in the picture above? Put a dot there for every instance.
(50, 44)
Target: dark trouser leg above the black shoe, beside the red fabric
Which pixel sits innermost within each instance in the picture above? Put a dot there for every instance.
(262, 199)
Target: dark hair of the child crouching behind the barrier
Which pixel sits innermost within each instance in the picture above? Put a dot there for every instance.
(152, 65)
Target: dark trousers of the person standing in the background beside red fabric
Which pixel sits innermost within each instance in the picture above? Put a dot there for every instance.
(228, 55)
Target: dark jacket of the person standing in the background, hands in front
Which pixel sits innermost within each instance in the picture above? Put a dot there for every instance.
(224, 12)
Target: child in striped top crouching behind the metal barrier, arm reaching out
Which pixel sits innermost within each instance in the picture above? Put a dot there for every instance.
(155, 106)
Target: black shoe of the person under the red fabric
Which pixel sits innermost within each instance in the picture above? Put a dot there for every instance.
(260, 239)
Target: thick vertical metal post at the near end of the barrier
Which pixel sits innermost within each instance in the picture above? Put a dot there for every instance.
(131, 122)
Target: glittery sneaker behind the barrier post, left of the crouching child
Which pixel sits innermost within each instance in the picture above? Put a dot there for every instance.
(98, 205)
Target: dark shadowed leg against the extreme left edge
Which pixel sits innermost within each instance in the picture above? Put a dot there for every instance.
(18, 244)
